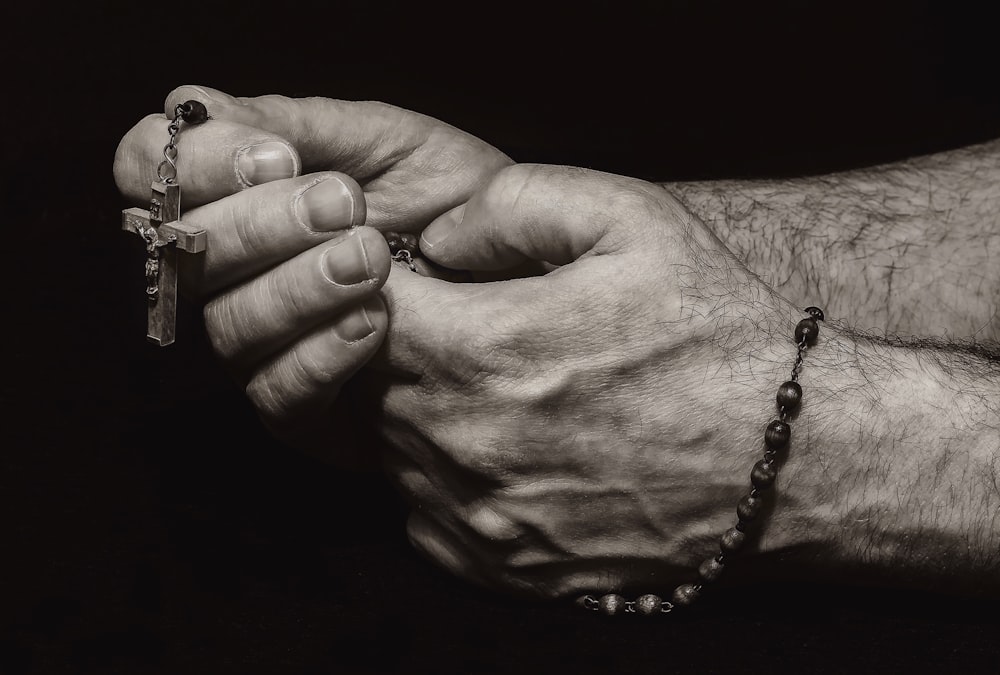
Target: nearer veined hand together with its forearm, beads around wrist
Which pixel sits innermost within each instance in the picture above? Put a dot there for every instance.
(552, 460)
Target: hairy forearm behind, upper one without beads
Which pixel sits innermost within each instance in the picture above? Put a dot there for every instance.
(909, 248)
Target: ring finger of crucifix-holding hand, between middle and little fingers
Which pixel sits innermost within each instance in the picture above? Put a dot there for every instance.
(270, 311)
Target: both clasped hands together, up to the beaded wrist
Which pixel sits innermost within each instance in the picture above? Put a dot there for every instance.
(584, 421)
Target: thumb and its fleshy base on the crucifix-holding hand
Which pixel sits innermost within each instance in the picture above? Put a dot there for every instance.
(413, 167)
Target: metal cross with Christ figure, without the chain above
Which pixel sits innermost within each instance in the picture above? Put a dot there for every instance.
(161, 228)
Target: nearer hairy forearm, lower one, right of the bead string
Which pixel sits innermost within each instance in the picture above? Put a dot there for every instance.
(899, 473)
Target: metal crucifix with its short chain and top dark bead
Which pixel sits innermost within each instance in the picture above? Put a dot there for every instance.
(163, 232)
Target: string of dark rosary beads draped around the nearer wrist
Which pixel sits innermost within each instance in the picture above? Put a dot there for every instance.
(762, 476)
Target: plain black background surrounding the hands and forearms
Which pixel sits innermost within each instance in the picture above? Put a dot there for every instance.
(150, 525)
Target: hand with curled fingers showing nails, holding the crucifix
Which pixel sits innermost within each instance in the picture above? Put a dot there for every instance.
(292, 307)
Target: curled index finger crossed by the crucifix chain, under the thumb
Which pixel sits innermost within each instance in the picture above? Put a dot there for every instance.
(214, 159)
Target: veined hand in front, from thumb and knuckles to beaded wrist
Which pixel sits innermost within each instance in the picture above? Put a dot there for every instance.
(592, 428)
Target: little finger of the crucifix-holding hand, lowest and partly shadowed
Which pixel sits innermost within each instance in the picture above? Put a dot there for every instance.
(296, 389)
